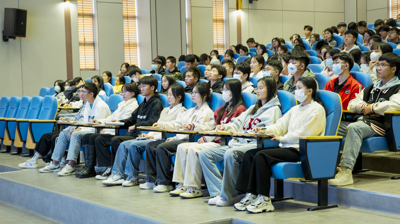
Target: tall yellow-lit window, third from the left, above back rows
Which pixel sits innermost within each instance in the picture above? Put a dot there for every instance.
(218, 25)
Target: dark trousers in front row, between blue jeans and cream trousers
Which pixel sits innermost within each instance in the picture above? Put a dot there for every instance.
(164, 153)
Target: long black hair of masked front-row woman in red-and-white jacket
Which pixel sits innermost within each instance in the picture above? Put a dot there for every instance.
(235, 87)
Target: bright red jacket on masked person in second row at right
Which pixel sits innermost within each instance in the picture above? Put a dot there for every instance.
(348, 92)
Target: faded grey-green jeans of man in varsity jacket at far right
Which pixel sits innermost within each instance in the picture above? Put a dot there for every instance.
(356, 132)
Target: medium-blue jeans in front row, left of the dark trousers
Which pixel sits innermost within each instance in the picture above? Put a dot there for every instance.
(127, 159)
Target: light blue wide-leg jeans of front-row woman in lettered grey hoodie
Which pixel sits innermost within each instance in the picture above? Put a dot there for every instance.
(224, 186)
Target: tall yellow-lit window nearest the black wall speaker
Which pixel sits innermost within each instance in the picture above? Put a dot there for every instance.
(86, 34)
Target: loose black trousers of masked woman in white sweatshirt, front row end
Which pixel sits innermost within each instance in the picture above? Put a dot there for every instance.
(255, 172)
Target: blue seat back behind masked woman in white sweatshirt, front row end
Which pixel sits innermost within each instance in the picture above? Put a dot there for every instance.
(333, 109)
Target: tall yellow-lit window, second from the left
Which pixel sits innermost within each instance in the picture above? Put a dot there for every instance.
(130, 36)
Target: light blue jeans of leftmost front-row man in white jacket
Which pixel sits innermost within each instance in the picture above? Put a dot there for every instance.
(74, 145)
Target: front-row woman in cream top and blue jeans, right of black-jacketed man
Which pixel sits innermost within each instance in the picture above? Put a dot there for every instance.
(127, 159)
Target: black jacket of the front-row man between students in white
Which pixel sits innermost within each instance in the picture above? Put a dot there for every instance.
(146, 114)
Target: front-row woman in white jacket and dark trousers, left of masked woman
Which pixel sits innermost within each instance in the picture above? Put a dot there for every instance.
(196, 119)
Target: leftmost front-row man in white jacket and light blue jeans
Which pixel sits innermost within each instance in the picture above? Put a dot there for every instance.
(95, 108)
